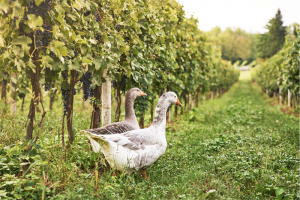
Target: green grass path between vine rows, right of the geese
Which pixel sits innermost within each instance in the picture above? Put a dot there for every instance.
(235, 147)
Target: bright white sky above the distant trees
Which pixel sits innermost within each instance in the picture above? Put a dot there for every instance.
(249, 15)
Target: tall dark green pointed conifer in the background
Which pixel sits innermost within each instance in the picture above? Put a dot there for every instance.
(271, 42)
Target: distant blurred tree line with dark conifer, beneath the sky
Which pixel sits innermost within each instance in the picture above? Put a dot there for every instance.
(242, 48)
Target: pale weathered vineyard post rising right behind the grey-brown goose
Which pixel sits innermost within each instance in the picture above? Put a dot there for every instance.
(106, 100)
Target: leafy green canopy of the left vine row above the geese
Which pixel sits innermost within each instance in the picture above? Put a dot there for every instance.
(150, 44)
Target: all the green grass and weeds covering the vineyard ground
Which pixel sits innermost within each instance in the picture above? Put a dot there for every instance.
(236, 147)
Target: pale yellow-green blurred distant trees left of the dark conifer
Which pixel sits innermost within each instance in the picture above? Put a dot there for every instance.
(236, 45)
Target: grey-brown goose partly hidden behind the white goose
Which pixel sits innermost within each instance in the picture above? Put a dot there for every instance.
(130, 121)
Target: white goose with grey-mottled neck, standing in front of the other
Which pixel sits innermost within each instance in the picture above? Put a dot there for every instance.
(136, 149)
